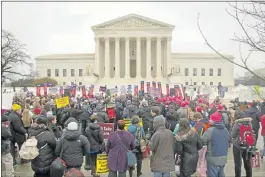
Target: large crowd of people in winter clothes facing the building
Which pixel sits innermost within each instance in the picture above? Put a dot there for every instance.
(174, 130)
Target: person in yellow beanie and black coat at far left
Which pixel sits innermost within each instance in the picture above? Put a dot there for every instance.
(17, 129)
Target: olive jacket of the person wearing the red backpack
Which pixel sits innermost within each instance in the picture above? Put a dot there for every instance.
(236, 128)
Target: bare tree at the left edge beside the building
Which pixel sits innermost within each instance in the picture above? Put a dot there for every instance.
(14, 58)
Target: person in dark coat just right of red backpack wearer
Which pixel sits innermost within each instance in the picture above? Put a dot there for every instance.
(255, 115)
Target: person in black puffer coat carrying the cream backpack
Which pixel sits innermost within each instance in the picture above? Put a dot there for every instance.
(46, 145)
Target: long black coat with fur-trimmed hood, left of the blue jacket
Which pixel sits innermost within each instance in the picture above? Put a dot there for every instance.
(187, 146)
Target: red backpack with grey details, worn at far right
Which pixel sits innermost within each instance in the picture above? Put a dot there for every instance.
(246, 136)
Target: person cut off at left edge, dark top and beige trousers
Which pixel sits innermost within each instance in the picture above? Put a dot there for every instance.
(6, 157)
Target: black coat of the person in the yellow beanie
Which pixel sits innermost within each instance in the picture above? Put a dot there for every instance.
(17, 128)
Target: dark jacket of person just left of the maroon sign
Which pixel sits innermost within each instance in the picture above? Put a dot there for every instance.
(95, 137)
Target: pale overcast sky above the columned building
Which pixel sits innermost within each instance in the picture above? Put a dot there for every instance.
(65, 27)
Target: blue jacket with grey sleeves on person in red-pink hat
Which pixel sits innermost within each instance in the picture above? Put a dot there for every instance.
(217, 140)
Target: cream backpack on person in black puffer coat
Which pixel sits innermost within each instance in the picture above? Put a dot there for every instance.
(29, 150)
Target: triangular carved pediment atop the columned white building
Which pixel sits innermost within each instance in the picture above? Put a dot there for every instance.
(132, 21)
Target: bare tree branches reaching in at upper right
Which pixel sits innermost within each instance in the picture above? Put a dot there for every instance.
(251, 10)
